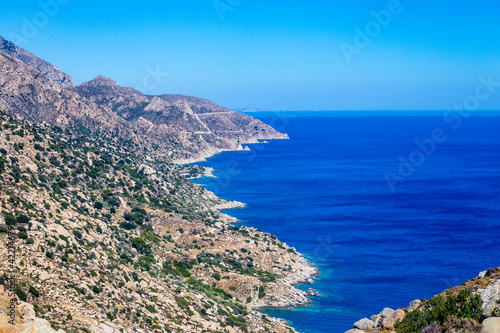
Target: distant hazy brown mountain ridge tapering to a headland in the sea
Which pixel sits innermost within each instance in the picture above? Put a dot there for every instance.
(179, 128)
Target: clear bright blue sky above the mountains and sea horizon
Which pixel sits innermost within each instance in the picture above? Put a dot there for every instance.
(281, 55)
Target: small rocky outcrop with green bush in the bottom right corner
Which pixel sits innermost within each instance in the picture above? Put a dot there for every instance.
(472, 307)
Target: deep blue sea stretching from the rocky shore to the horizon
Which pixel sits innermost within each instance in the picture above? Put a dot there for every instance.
(325, 193)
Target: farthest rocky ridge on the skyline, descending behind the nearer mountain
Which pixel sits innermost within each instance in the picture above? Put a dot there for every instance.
(44, 67)
